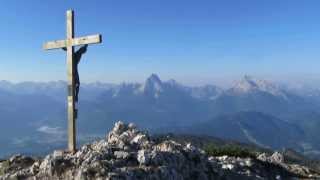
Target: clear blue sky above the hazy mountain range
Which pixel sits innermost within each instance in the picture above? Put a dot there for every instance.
(194, 42)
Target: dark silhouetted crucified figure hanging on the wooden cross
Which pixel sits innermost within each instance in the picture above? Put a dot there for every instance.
(76, 59)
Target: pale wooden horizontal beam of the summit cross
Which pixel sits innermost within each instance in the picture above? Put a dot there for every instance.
(92, 39)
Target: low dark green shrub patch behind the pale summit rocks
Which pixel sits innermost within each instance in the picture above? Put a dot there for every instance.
(229, 150)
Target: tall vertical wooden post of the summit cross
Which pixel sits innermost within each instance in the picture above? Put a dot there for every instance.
(71, 85)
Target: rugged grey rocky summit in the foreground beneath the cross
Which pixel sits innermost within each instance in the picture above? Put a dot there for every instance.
(129, 154)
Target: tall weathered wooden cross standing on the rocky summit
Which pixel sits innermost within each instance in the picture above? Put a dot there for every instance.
(69, 44)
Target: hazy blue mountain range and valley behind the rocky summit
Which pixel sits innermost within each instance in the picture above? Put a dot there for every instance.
(252, 110)
